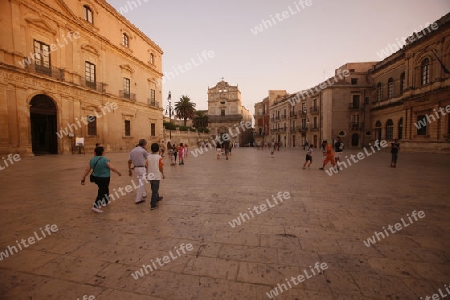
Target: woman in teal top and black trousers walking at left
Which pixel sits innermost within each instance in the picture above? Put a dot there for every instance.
(102, 171)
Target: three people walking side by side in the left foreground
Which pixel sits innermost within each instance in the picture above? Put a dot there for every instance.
(147, 167)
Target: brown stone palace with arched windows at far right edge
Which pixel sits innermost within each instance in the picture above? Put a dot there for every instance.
(411, 91)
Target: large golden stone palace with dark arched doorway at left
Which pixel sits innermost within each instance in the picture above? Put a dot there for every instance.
(75, 71)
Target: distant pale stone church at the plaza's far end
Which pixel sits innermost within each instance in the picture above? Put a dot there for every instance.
(226, 114)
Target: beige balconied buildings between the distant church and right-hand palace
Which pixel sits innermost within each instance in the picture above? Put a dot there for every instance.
(335, 107)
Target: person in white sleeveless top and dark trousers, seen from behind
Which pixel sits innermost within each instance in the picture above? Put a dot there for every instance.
(155, 172)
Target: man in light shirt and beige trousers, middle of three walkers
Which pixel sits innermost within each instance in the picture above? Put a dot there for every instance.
(138, 157)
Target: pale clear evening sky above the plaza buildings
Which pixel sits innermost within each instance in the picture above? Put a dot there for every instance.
(296, 51)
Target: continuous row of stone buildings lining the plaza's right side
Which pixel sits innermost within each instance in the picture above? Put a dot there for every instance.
(406, 97)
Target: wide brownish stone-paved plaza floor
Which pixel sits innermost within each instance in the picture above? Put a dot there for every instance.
(325, 220)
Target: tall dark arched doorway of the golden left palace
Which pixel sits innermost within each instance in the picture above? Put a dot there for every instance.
(43, 125)
